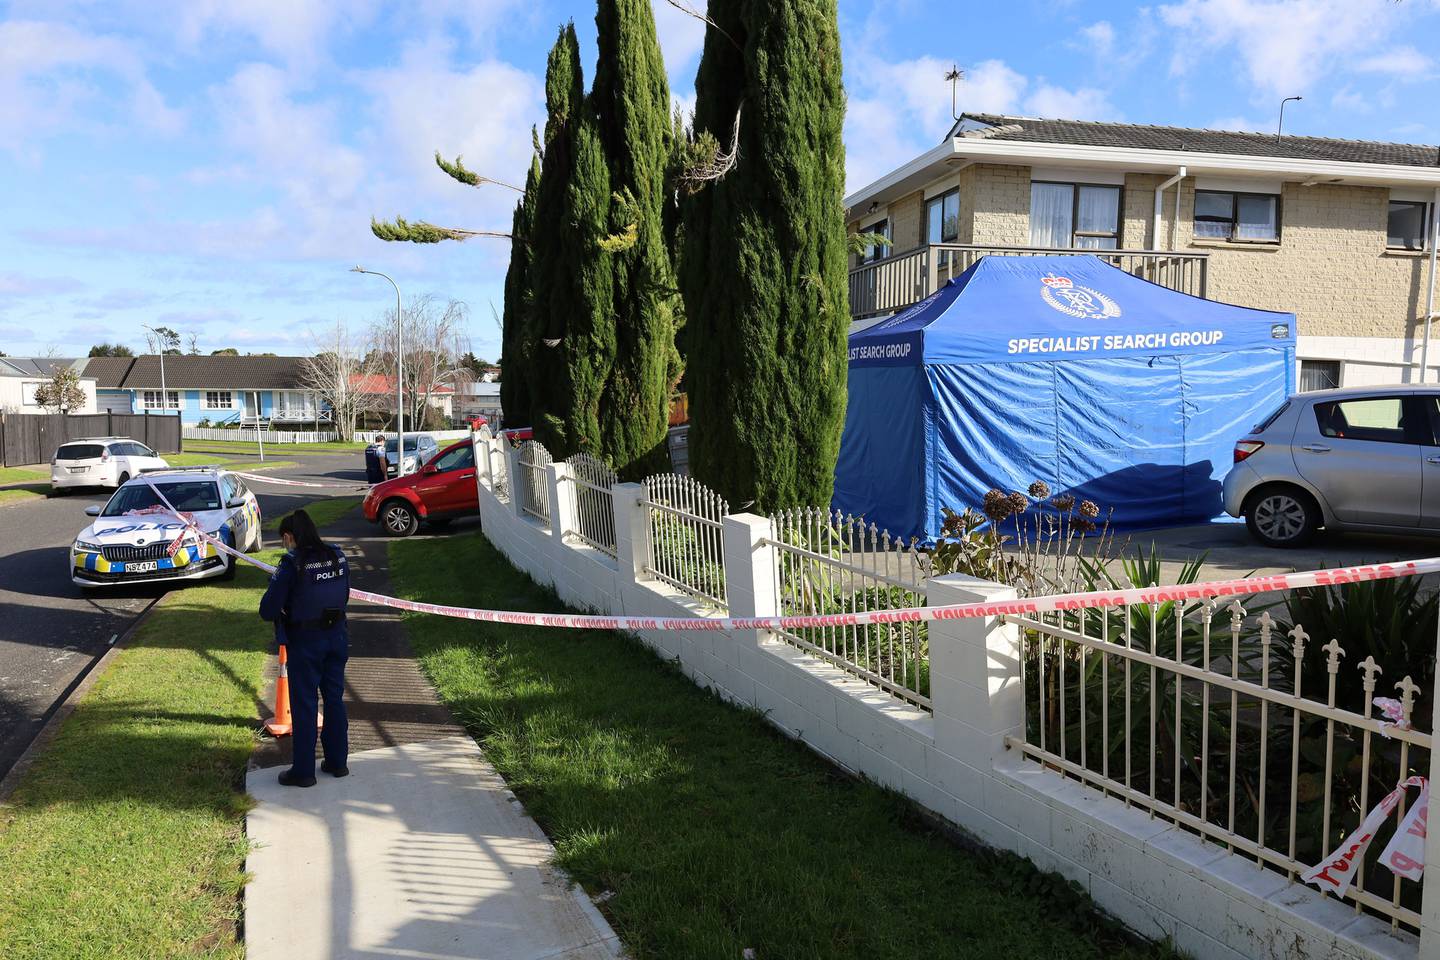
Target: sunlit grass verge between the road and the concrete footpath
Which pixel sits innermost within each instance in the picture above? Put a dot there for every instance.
(126, 838)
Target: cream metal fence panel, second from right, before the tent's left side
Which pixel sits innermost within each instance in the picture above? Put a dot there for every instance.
(830, 563)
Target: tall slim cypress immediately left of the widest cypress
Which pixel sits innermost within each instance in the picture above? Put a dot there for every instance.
(631, 100)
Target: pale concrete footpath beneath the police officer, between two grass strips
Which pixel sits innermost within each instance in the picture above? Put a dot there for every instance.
(423, 851)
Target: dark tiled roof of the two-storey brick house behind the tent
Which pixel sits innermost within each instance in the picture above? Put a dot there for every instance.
(1180, 139)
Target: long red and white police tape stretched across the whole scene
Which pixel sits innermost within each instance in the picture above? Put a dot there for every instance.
(1098, 599)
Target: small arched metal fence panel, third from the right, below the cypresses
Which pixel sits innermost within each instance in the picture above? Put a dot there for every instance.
(686, 548)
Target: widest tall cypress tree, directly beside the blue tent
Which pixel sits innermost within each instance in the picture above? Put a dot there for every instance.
(764, 270)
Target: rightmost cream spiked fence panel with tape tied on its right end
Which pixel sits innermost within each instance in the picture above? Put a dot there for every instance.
(1216, 720)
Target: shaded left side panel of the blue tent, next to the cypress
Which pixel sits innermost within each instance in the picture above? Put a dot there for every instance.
(881, 473)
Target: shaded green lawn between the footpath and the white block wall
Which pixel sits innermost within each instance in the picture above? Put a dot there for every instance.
(714, 833)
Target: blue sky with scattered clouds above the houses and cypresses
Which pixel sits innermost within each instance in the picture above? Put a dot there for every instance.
(212, 165)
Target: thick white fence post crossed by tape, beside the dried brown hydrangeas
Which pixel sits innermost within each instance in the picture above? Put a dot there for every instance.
(976, 684)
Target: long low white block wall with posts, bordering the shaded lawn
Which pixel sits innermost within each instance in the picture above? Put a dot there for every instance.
(1157, 879)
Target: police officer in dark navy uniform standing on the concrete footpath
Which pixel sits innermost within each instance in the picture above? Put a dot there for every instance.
(307, 597)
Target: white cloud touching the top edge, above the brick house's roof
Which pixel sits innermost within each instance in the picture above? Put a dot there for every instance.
(1287, 45)
